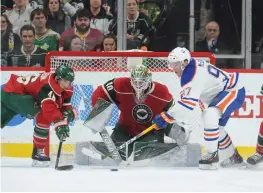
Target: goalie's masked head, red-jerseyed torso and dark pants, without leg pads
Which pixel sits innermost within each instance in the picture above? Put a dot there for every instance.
(139, 99)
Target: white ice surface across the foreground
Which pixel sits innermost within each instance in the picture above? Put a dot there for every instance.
(18, 175)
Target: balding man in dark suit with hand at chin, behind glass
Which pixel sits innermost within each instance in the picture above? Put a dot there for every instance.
(211, 43)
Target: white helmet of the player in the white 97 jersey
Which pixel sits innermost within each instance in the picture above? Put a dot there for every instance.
(178, 56)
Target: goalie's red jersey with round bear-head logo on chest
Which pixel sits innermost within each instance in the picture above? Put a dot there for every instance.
(134, 117)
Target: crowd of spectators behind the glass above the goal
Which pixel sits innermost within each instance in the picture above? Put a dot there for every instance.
(32, 28)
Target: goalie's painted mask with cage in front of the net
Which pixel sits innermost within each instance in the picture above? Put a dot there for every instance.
(141, 80)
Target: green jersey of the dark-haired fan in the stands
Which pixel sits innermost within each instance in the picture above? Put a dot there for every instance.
(48, 41)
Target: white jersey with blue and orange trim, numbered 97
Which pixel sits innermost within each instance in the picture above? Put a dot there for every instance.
(201, 82)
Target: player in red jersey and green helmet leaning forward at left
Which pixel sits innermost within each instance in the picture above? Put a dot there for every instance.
(45, 97)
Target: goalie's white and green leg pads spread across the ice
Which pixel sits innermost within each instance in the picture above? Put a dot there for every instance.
(144, 155)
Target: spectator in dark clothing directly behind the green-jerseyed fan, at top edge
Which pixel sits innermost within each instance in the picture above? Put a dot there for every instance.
(57, 20)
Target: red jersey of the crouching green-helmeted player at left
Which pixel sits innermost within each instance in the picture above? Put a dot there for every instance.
(45, 89)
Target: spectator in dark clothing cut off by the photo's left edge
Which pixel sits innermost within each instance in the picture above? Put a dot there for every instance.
(9, 40)
